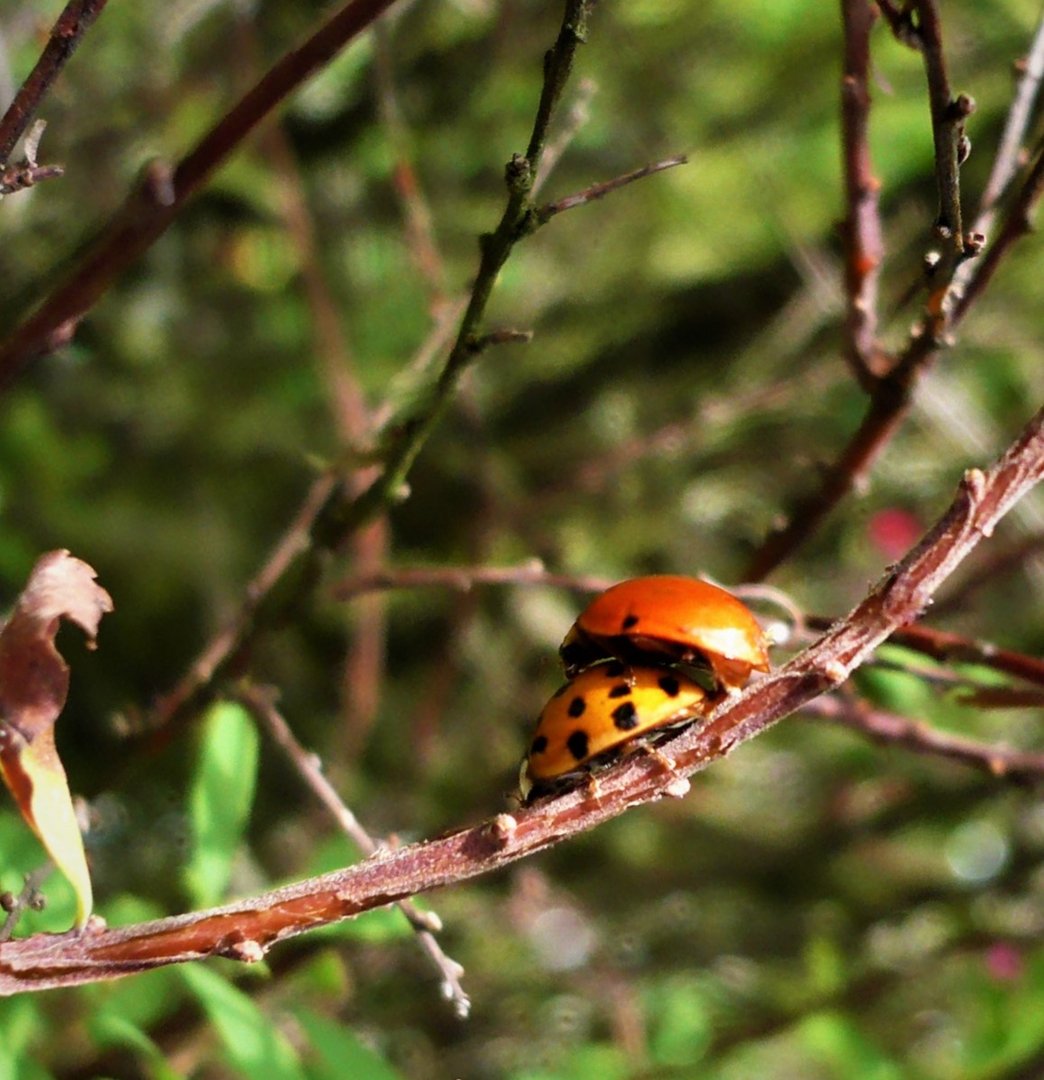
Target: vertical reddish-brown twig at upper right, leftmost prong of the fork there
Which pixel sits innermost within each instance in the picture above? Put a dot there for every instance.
(864, 246)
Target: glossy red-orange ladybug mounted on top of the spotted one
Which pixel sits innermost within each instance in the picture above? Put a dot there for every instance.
(669, 619)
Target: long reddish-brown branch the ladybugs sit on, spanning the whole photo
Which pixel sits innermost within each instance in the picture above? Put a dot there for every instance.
(247, 930)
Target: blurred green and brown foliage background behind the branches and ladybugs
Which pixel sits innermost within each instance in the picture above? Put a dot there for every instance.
(819, 906)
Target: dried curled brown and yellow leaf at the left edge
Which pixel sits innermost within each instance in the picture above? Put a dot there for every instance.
(34, 685)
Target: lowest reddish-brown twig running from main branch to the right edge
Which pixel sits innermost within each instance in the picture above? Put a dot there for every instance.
(889, 728)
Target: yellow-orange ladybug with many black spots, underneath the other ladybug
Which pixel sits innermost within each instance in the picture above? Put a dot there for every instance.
(593, 719)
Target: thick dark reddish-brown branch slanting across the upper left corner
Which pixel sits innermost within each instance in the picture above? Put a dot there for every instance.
(162, 192)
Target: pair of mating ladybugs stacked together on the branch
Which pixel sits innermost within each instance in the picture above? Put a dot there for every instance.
(647, 655)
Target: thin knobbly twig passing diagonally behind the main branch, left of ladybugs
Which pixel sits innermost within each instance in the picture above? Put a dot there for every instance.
(262, 705)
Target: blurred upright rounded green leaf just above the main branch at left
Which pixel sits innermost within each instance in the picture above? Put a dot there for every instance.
(221, 801)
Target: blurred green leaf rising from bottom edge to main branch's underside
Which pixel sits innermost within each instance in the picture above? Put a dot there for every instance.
(253, 1044)
